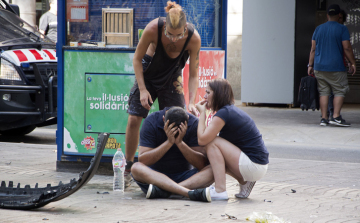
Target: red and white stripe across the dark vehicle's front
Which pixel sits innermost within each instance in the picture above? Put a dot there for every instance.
(30, 55)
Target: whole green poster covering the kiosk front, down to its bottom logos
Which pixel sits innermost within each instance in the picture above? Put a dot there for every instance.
(96, 95)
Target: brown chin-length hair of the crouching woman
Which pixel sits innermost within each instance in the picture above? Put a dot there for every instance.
(222, 93)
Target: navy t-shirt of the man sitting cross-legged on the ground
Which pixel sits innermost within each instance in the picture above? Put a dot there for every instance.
(152, 135)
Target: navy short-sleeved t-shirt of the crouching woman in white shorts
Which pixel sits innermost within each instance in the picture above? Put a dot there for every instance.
(240, 130)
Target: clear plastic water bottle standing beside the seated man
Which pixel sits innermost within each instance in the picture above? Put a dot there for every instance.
(119, 163)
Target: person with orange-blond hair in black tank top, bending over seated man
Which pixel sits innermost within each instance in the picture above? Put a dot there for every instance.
(165, 46)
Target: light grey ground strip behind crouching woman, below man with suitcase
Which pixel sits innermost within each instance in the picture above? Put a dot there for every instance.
(294, 125)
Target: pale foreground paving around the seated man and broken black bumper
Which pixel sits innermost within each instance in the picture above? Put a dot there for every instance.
(324, 193)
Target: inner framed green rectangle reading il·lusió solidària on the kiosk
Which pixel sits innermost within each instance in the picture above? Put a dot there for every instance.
(106, 103)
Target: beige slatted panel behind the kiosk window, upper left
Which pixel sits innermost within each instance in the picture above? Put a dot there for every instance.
(117, 26)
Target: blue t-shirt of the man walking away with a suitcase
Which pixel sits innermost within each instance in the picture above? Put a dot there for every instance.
(329, 51)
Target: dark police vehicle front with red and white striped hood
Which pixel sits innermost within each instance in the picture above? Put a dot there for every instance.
(28, 75)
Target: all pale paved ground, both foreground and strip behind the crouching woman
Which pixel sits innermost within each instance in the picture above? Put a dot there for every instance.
(325, 191)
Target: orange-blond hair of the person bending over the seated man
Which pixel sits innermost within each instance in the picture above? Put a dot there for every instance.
(175, 17)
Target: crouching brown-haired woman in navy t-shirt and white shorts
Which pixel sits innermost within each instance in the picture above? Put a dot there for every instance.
(238, 149)
